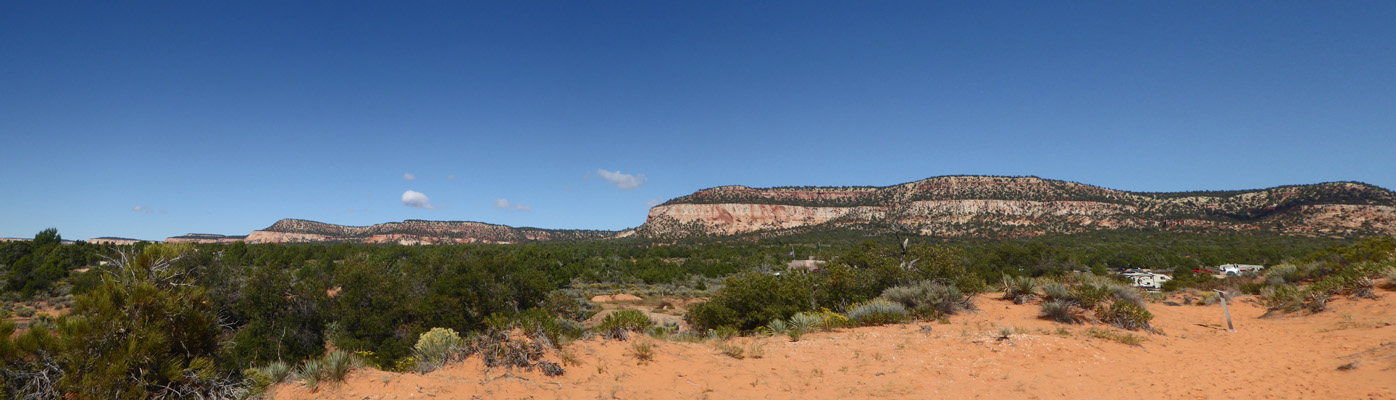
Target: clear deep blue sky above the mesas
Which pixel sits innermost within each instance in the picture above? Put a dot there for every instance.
(161, 119)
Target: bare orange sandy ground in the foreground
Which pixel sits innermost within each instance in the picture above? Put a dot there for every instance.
(1348, 352)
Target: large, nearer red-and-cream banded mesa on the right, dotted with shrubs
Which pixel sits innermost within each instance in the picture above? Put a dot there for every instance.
(1021, 207)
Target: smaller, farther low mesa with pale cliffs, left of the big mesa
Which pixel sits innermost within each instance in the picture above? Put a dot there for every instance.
(413, 232)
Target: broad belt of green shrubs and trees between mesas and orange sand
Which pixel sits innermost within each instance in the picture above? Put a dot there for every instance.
(227, 321)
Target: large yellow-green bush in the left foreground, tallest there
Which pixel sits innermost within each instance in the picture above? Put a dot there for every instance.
(146, 332)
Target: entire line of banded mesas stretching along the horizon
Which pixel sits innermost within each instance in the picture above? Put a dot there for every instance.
(988, 207)
